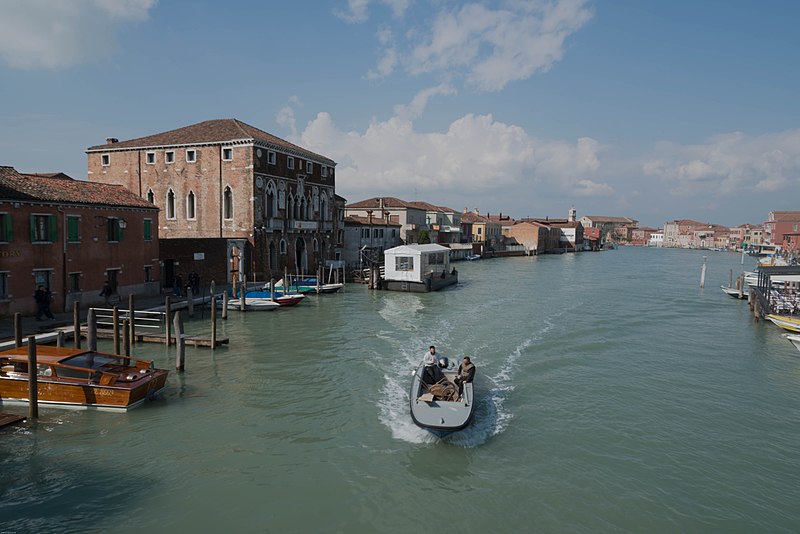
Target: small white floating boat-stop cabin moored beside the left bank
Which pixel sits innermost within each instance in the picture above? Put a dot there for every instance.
(418, 268)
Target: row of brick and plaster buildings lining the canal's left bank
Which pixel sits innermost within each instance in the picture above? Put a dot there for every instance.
(227, 202)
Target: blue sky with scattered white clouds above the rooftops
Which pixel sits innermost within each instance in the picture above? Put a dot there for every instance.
(647, 109)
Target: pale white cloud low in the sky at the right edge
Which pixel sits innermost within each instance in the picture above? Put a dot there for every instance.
(728, 164)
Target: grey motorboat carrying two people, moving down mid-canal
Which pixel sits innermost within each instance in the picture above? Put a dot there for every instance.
(440, 417)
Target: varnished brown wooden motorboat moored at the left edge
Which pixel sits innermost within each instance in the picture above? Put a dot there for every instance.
(79, 378)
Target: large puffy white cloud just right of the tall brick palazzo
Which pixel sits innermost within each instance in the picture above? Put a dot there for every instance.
(476, 155)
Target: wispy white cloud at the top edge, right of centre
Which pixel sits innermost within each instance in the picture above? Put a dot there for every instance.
(490, 48)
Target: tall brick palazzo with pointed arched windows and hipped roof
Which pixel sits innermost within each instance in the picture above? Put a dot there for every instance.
(236, 202)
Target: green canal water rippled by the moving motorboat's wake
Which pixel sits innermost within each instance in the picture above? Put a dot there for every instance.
(614, 395)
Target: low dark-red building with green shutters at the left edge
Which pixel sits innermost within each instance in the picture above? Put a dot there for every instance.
(72, 236)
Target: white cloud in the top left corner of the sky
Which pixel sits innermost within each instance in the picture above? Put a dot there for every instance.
(57, 34)
